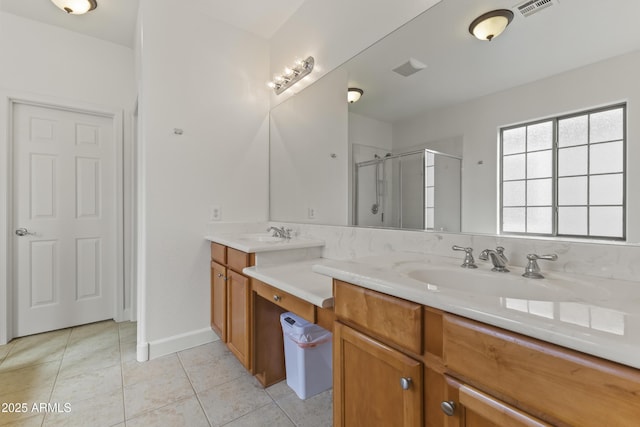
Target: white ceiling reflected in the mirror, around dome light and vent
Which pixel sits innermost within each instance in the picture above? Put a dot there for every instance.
(567, 35)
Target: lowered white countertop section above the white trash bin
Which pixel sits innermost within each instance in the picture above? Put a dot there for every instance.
(297, 279)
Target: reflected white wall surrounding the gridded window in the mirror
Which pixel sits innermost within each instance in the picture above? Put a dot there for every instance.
(599, 84)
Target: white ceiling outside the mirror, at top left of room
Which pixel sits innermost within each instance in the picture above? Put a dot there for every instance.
(115, 20)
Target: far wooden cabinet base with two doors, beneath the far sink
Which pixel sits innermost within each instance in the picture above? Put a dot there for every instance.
(231, 300)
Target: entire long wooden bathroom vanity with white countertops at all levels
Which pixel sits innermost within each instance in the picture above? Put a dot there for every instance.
(419, 341)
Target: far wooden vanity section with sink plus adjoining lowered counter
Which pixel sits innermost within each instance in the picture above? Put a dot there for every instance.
(245, 311)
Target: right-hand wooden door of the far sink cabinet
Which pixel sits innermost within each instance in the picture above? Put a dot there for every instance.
(238, 316)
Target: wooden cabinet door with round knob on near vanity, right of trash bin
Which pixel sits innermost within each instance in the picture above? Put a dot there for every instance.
(374, 385)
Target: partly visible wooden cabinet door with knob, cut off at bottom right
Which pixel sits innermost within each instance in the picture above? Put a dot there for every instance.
(469, 407)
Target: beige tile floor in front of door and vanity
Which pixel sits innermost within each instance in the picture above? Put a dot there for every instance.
(90, 372)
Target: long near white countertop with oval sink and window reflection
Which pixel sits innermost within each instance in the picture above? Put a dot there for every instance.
(596, 316)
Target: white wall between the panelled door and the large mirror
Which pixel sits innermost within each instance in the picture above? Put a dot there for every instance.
(206, 78)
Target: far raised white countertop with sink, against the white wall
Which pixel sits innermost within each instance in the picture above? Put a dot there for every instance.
(247, 242)
